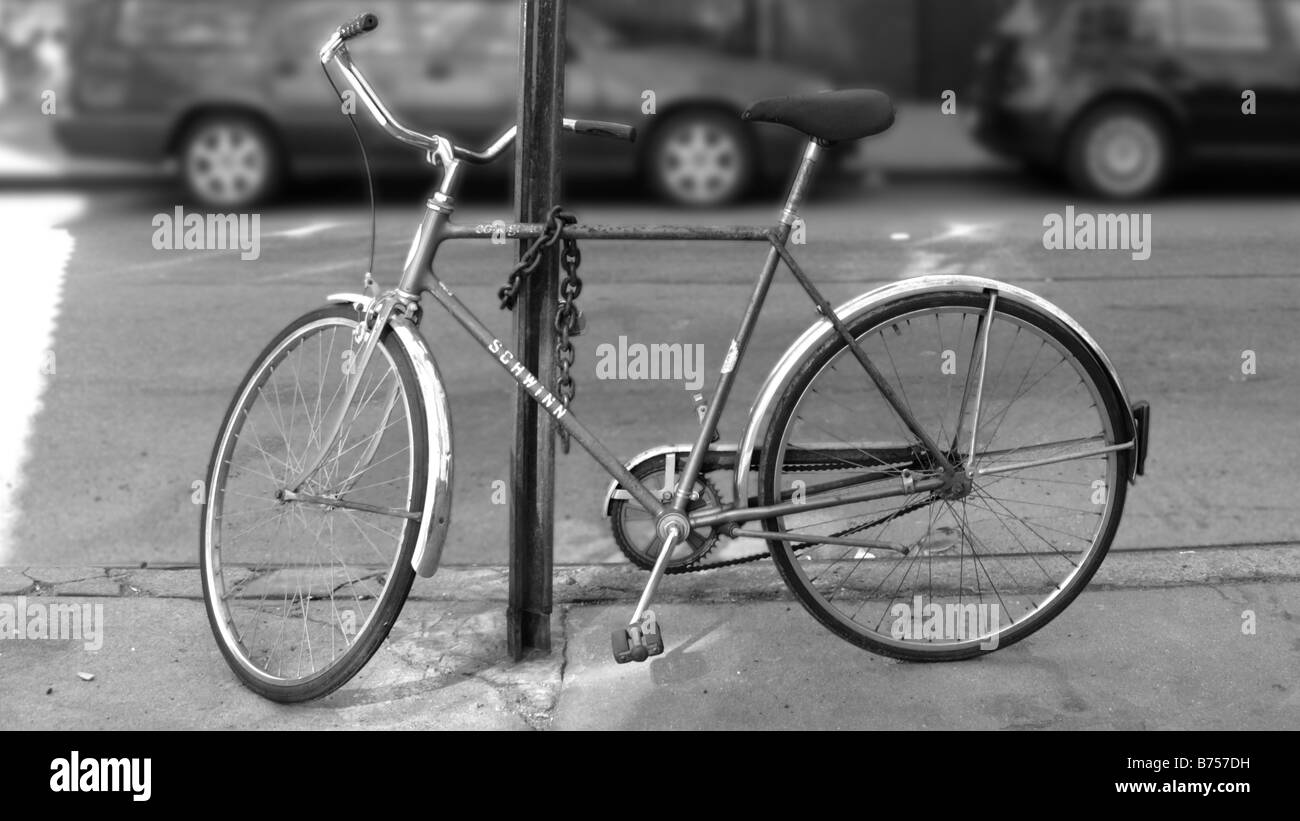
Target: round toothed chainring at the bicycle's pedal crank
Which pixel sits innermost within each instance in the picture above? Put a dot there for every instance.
(635, 529)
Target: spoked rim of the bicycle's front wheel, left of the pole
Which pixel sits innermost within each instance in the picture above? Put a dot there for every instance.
(296, 588)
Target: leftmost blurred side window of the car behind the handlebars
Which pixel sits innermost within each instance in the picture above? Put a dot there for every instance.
(188, 25)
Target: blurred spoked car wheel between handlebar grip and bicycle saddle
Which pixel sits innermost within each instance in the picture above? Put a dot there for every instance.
(701, 163)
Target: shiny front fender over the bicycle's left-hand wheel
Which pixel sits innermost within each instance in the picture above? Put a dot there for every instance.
(436, 519)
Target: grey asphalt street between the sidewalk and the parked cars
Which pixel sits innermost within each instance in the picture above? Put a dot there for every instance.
(140, 350)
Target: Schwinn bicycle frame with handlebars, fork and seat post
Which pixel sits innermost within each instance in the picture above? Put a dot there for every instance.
(939, 474)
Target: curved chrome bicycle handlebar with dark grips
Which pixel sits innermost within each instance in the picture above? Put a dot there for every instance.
(336, 53)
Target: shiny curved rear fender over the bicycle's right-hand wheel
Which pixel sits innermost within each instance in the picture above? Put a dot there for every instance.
(822, 331)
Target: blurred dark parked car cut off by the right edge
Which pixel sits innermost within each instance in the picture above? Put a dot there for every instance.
(1120, 95)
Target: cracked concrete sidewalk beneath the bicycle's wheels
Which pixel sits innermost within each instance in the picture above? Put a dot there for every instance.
(1156, 642)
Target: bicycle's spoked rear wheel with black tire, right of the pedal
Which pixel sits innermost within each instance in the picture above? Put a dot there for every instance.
(939, 576)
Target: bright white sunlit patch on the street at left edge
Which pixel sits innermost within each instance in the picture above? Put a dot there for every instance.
(31, 228)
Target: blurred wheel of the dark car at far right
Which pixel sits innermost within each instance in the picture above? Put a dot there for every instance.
(1121, 153)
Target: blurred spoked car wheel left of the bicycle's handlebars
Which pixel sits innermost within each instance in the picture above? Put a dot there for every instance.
(229, 162)
